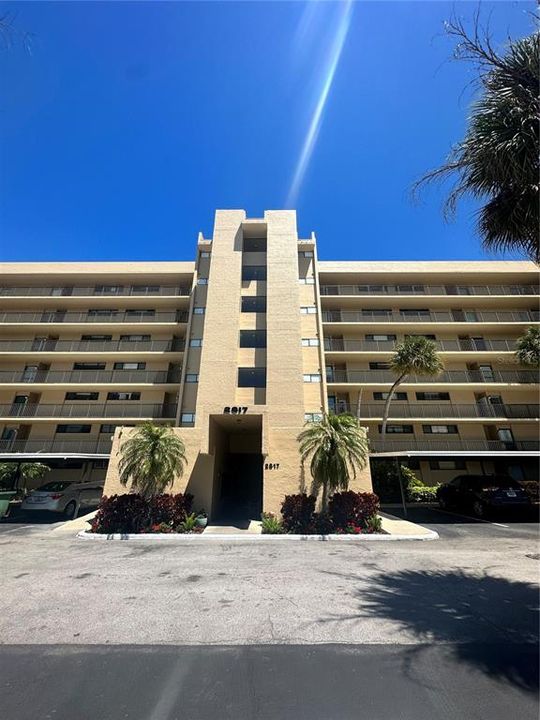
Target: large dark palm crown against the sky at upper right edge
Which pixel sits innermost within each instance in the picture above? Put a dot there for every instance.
(497, 160)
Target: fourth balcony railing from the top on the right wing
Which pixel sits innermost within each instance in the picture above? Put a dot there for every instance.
(449, 376)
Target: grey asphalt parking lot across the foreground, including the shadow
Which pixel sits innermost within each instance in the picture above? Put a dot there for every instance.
(438, 630)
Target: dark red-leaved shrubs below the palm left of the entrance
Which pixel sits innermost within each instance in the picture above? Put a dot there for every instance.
(132, 513)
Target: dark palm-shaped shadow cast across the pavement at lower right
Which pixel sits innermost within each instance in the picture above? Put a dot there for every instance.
(490, 623)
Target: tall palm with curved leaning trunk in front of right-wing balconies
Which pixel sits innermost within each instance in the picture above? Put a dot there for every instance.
(415, 355)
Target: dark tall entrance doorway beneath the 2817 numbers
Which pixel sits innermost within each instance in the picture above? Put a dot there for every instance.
(236, 443)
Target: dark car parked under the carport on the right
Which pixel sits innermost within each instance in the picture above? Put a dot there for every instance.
(482, 494)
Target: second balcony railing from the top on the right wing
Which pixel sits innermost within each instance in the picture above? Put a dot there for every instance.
(359, 316)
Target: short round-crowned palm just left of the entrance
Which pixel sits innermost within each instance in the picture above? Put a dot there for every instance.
(151, 458)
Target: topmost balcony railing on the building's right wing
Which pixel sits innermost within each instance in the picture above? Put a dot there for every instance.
(418, 289)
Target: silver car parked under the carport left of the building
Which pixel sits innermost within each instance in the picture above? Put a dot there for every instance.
(65, 497)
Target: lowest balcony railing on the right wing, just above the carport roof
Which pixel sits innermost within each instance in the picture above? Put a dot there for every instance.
(441, 445)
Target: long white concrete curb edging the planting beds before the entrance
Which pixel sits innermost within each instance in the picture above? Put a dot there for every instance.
(182, 538)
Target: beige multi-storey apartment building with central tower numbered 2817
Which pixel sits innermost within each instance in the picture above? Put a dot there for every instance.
(239, 348)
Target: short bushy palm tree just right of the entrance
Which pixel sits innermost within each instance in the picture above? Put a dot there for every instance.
(338, 447)
